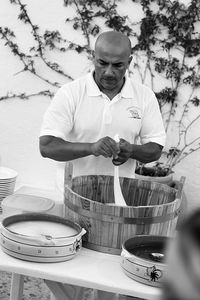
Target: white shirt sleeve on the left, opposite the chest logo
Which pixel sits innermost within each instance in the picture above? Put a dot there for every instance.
(58, 119)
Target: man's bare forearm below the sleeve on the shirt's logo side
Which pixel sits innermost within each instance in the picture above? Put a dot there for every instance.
(146, 153)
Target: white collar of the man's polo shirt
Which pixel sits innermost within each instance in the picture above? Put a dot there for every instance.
(93, 89)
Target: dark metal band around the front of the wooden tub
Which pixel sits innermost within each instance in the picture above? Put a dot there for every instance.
(122, 220)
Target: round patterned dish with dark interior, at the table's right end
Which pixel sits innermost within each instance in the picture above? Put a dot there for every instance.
(143, 259)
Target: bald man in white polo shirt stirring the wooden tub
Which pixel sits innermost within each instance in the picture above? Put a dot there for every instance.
(85, 116)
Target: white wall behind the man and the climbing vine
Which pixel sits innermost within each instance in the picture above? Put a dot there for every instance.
(20, 120)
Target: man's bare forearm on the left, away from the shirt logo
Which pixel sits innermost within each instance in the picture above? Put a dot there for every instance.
(60, 150)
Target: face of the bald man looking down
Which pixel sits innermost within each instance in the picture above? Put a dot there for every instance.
(110, 67)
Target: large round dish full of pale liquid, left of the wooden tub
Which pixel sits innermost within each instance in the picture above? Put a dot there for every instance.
(40, 247)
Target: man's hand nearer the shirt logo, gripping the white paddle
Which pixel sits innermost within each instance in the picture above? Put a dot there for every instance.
(124, 154)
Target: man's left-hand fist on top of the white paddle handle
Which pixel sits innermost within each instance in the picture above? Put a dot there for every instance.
(106, 147)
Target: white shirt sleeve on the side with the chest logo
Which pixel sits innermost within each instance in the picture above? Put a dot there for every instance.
(152, 129)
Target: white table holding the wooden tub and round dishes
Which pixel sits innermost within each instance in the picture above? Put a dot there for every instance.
(88, 269)
